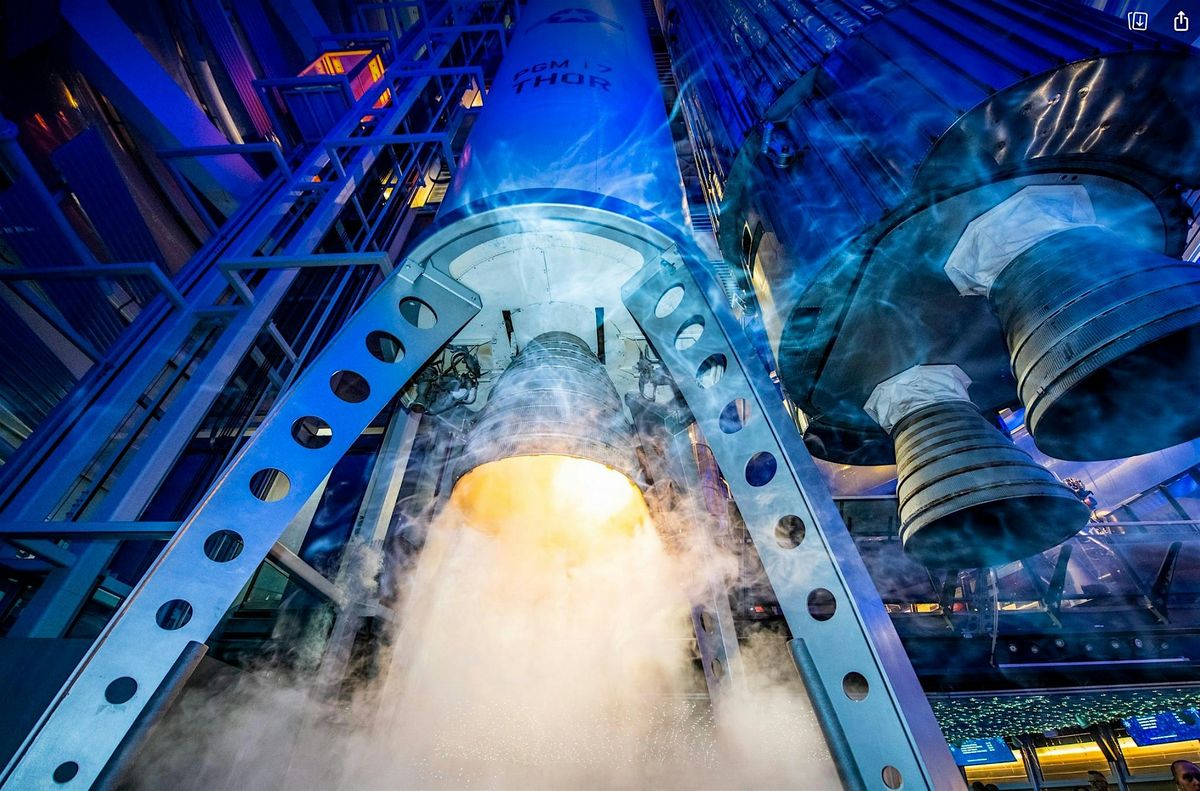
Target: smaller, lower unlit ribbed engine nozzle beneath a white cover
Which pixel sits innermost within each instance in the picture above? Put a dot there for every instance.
(969, 498)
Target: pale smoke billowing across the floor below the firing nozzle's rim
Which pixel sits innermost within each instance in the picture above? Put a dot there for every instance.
(517, 663)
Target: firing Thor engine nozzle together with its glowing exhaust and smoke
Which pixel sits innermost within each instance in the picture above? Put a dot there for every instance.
(543, 640)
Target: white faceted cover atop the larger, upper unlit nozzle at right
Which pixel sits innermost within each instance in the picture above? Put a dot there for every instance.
(1003, 233)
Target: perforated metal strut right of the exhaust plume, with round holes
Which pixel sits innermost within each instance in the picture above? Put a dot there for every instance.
(875, 717)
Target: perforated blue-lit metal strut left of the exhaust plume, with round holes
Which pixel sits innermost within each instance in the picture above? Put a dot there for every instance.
(199, 576)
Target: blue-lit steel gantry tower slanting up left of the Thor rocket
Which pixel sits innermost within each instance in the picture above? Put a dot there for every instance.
(232, 287)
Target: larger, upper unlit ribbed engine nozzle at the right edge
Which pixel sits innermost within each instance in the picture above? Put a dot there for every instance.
(1105, 339)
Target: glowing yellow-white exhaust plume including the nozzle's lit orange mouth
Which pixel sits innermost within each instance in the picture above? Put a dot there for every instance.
(545, 644)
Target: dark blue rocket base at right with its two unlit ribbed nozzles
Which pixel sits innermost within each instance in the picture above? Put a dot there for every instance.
(941, 183)
